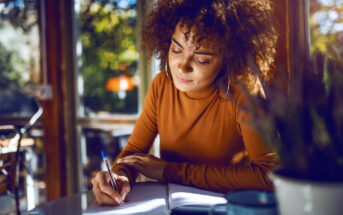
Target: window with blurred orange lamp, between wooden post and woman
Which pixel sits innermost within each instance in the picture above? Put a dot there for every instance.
(108, 79)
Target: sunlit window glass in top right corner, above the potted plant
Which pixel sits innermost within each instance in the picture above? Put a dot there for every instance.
(326, 26)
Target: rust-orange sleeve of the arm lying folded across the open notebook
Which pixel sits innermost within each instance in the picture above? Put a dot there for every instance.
(243, 175)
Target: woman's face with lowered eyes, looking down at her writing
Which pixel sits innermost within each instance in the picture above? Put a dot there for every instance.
(193, 67)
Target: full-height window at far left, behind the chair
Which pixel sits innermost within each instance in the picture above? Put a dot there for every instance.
(20, 76)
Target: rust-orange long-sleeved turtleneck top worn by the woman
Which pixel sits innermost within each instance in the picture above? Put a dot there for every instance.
(205, 138)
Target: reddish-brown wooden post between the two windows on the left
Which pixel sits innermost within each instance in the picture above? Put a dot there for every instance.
(53, 115)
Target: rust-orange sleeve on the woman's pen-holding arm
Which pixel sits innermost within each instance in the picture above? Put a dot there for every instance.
(143, 134)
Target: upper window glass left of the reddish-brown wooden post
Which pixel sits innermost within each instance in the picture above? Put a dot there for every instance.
(19, 57)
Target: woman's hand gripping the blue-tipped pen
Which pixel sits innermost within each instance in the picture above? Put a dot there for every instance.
(104, 193)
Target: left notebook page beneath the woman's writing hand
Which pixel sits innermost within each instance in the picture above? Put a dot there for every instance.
(145, 198)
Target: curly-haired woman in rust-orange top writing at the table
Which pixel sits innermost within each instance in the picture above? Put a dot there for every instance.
(194, 104)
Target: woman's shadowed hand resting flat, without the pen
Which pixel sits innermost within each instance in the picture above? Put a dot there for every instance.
(148, 165)
